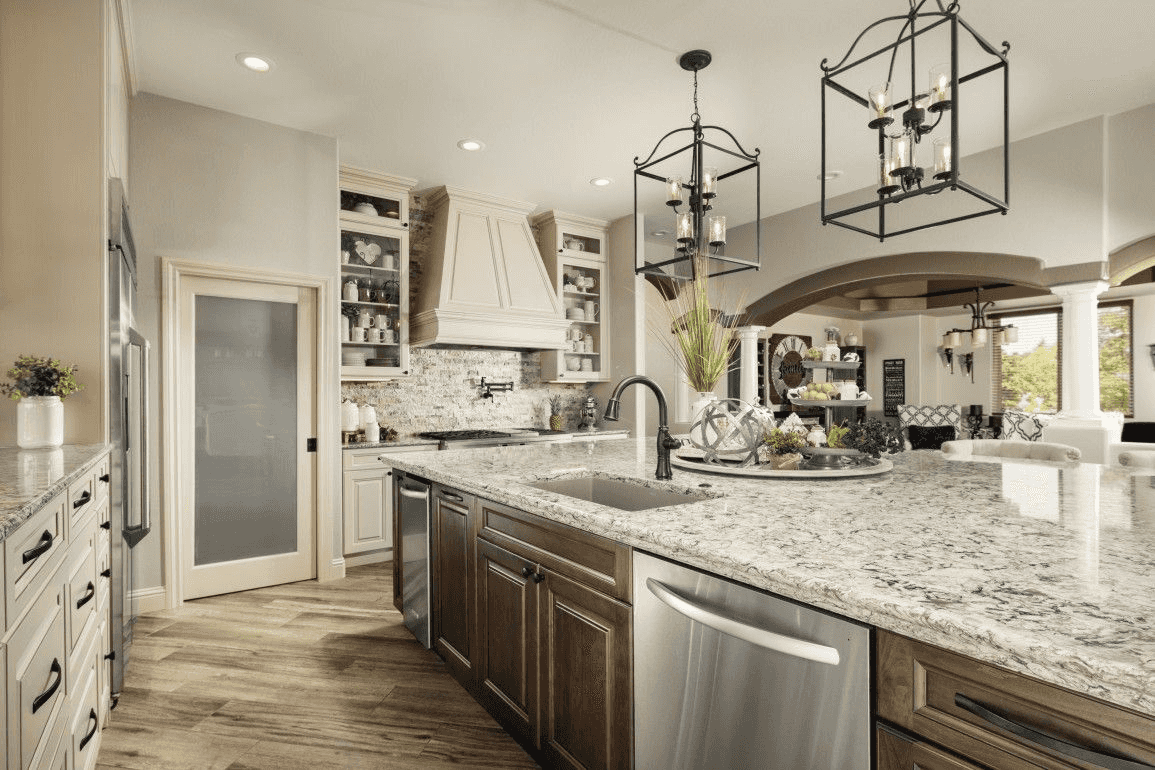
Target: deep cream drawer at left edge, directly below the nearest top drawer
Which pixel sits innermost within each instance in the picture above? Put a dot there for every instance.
(36, 663)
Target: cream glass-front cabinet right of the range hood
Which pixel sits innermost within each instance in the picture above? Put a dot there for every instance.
(575, 250)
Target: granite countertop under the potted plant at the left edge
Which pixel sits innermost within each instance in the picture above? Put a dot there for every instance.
(31, 477)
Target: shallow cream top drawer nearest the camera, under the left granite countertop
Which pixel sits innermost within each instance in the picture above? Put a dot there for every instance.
(32, 556)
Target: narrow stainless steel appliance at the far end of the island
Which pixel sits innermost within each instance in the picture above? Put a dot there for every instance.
(414, 505)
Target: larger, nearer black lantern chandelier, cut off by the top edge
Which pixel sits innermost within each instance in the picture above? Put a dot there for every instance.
(906, 116)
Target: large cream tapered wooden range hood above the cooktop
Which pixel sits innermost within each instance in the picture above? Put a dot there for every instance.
(485, 282)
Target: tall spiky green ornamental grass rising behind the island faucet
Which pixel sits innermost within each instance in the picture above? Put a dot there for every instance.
(702, 335)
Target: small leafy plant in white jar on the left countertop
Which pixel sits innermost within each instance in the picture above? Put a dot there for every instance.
(40, 385)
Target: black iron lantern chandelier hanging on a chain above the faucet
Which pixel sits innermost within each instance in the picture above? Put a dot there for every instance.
(695, 195)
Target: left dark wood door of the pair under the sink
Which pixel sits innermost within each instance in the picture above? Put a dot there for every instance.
(506, 662)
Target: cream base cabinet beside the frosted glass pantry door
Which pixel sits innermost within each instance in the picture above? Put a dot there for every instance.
(368, 498)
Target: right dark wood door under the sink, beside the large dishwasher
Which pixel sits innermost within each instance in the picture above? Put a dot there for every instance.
(586, 683)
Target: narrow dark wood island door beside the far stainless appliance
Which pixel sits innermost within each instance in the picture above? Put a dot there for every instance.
(453, 532)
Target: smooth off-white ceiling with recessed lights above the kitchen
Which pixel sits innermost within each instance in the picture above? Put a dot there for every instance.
(567, 91)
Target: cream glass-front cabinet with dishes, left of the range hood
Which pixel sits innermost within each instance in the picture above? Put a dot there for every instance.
(374, 327)
